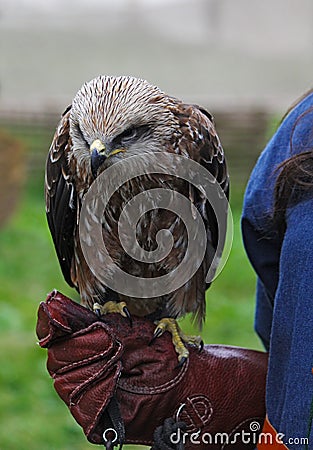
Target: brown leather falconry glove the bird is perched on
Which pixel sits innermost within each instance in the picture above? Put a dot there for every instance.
(105, 370)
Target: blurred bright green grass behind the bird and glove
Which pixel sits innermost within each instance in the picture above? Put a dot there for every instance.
(31, 414)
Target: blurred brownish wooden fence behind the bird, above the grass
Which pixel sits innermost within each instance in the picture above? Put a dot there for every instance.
(243, 134)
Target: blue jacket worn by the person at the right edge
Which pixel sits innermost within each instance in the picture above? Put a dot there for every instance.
(284, 268)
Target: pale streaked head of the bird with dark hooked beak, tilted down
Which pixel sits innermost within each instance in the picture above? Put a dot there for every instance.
(116, 117)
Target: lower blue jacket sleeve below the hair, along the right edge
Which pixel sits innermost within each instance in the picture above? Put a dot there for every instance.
(290, 378)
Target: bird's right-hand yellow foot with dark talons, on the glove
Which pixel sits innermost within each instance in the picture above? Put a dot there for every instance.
(178, 338)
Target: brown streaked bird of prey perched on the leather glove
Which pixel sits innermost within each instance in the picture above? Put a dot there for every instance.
(112, 118)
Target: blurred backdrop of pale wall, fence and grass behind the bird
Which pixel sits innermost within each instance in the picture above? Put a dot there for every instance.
(245, 61)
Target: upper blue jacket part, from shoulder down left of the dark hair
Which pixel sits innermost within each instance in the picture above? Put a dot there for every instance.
(262, 242)
